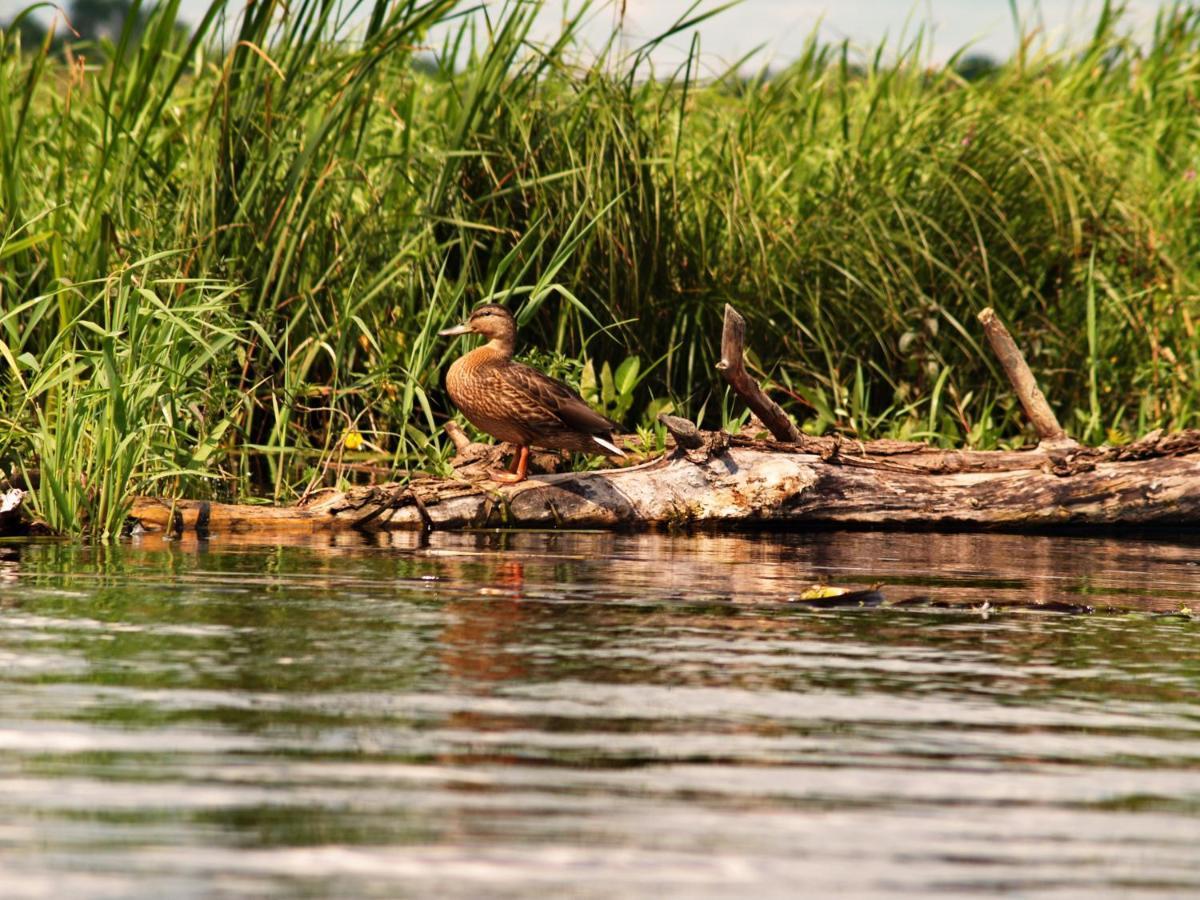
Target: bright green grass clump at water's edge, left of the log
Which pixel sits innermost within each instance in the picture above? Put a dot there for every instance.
(121, 400)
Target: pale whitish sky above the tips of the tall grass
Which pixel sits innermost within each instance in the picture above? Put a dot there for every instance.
(781, 27)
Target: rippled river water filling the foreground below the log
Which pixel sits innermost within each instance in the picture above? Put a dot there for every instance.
(542, 715)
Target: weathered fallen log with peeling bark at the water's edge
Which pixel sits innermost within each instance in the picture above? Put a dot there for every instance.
(737, 482)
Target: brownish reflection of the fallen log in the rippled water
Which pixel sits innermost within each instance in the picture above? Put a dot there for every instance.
(953, 569)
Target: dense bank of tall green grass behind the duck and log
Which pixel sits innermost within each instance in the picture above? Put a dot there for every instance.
(310, 193)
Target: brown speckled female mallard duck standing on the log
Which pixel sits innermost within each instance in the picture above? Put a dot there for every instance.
(517, 404)
